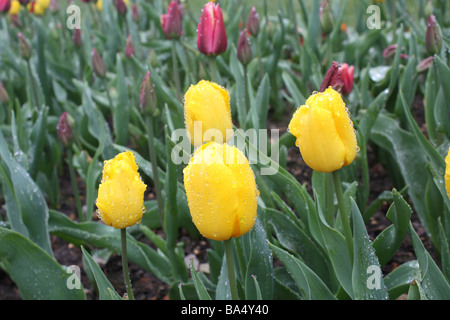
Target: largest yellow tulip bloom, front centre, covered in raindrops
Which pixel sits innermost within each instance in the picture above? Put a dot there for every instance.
(221, 191)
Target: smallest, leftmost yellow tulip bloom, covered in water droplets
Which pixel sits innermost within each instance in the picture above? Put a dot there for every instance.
(120, 199)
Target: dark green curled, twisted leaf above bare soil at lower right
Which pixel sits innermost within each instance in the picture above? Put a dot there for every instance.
(390, 239)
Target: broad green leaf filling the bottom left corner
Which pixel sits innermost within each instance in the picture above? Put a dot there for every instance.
(37, 274)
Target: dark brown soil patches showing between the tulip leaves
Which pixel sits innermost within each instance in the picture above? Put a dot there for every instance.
(148, 287)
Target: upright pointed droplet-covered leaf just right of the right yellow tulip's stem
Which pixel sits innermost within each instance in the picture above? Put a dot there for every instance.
(367, 278)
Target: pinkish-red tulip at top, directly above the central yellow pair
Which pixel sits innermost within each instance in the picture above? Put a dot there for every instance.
(211, 38)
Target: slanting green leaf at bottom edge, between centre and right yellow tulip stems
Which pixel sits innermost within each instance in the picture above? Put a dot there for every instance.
(308, 282)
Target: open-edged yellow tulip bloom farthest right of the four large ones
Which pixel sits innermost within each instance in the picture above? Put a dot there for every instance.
(324, 132)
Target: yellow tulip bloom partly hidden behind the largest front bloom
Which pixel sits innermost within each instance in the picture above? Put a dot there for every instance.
(206, 107)
